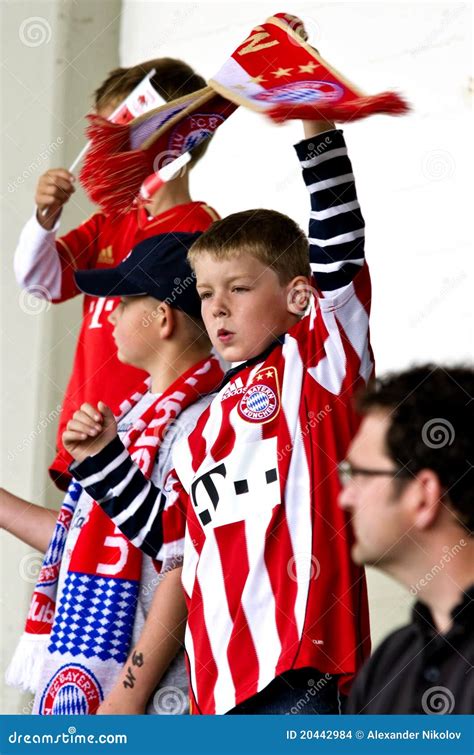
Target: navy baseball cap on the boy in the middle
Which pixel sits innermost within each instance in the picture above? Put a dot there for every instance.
(155, 267)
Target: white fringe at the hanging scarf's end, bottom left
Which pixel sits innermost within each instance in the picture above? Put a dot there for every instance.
(24, 669)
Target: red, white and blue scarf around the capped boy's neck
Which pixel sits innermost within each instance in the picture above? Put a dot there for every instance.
(87, 637)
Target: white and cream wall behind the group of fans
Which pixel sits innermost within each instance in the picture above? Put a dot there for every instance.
(413, 177)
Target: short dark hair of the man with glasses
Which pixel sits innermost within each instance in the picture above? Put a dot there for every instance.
(431, 412)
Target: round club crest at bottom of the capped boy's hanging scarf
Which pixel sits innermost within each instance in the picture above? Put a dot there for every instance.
(73, 691)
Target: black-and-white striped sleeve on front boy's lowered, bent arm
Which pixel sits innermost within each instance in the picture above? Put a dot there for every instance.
(132, 501)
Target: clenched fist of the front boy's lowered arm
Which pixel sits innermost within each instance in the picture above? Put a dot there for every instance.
(89, 431)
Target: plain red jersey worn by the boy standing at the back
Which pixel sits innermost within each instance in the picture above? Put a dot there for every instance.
(103, 242)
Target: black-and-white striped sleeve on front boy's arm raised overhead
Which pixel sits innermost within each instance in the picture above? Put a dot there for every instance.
(336, 225)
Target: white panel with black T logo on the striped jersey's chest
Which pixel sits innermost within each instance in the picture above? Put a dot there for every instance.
(244, 485)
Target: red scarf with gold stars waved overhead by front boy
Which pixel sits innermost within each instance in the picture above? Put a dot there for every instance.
(274, 71)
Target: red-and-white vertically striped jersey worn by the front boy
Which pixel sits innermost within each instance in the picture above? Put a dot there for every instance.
(267, 570)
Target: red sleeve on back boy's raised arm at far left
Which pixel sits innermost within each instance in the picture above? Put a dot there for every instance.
(78, 250)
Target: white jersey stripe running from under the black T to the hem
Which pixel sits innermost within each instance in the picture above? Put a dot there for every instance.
(216, 614)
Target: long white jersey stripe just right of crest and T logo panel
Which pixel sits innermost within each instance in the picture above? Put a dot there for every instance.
(298, 485)
